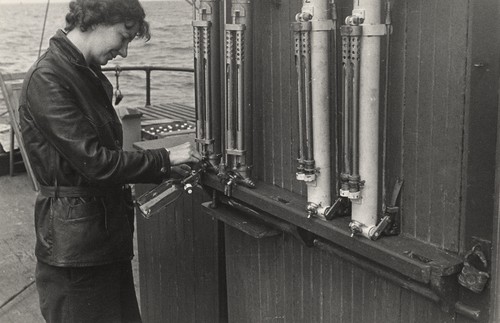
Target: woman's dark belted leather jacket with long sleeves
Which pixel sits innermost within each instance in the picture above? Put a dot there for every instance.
(84, 213)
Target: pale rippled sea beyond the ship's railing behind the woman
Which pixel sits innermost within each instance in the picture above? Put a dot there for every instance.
(171, 44)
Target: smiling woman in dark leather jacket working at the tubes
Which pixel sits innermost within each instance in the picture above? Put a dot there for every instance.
(84, 212)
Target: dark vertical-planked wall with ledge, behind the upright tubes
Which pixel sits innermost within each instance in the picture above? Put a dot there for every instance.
(262, 260)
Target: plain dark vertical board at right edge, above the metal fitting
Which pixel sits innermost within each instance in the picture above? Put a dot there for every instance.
(481, 122)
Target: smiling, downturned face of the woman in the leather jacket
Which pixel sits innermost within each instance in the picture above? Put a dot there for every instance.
(109, 41)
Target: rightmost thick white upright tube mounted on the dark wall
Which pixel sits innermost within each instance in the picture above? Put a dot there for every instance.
(365, 212)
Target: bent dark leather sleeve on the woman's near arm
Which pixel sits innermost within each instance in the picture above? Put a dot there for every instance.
(59, 118)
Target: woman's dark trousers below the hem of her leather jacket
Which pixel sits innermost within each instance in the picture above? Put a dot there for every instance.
(87, 294)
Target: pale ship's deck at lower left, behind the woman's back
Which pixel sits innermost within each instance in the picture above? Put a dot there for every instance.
(17, 260)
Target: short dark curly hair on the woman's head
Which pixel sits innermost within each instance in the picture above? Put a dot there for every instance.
(87, 13)
